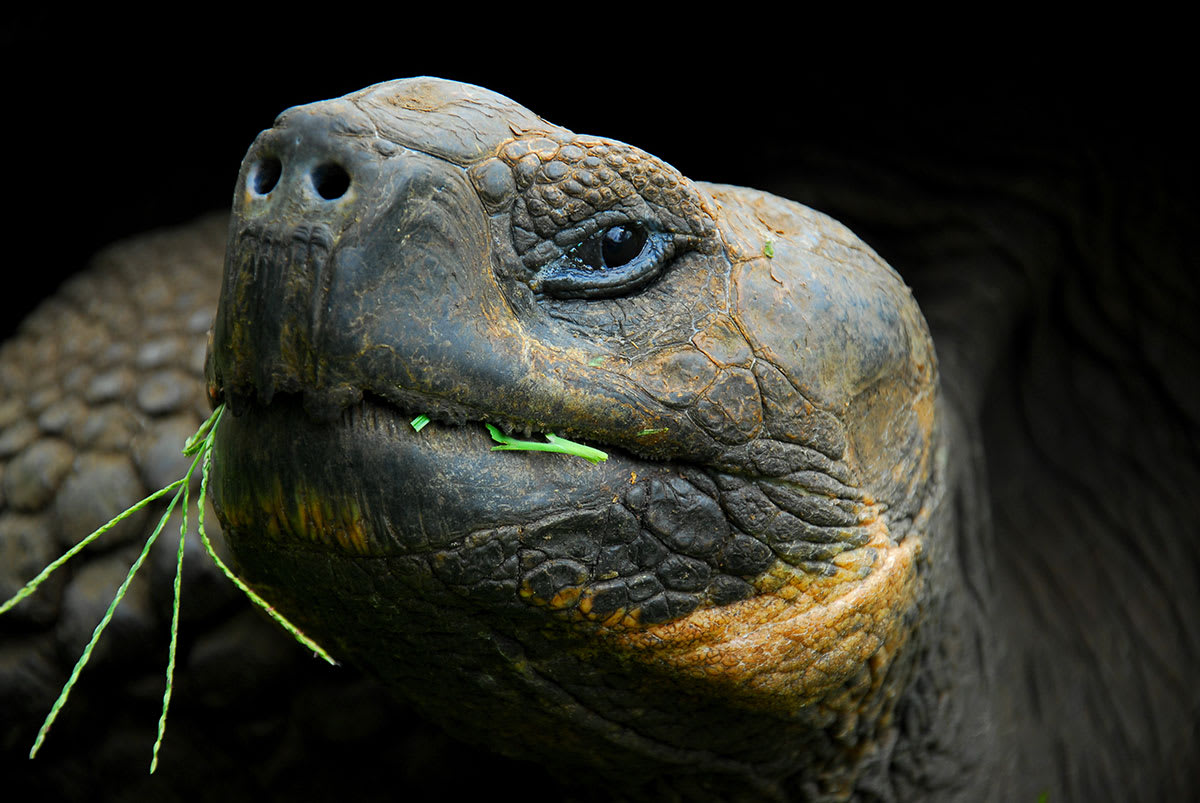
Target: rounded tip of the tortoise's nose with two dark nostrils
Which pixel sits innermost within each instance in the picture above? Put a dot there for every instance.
(313, 164)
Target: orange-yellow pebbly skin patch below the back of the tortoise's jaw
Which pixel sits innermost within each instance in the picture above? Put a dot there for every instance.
(802, 639)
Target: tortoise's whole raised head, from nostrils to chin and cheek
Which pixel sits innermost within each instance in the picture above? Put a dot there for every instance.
(764, 385)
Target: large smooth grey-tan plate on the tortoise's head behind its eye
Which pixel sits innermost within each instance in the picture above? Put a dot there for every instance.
(845, 332)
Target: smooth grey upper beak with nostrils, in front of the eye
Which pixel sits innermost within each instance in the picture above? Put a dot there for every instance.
(340, 247)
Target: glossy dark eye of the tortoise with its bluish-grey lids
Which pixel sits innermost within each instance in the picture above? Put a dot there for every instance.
(615, 261)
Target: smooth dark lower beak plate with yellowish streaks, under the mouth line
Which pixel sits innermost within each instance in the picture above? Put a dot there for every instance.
(368, 482)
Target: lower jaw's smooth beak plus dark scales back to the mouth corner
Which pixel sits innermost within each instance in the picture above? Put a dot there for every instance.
(625, 543)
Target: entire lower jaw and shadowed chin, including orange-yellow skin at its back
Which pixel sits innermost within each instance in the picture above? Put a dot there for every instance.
(571, 603)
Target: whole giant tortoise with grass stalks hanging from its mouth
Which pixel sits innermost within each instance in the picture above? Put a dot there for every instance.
(836, 553)
